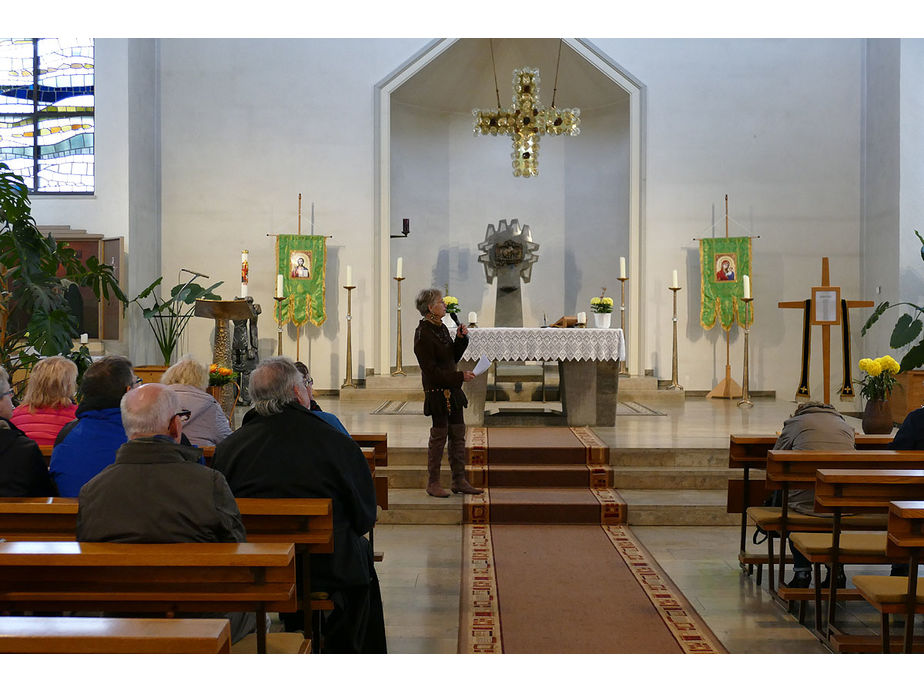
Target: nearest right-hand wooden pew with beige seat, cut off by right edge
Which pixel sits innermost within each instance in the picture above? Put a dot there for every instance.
(899, 595)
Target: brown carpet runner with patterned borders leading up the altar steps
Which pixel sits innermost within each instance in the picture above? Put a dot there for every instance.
(549, 564)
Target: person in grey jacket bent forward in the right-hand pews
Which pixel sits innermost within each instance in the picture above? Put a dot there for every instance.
(813, 426)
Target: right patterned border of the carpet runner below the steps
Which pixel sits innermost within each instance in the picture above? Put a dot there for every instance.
(681, 619)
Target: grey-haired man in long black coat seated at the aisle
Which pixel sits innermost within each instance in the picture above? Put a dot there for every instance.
(282, 450)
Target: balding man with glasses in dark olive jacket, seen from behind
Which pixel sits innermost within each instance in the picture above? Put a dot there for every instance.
(156, 492)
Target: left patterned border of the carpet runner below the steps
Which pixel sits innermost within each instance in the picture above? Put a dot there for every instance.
(481, 631)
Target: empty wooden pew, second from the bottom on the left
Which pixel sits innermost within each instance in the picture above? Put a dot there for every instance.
(168, 579)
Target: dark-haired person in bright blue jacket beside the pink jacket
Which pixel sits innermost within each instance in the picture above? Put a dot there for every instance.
(86, 446)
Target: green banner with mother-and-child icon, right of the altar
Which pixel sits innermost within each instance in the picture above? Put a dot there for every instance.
(723, 262)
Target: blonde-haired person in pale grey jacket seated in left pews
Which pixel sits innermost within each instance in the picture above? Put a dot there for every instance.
(207, 424)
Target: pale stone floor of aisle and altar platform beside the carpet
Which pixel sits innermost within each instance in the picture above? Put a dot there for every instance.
(420, 575)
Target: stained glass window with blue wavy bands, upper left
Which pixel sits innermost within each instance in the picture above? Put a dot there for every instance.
(46, 112)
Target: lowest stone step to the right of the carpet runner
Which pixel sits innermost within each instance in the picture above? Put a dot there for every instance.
(677, 507)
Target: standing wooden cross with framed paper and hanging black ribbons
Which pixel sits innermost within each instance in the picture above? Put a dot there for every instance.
(825, 308)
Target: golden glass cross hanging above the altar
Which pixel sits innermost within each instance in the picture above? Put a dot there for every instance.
(526, 120)
